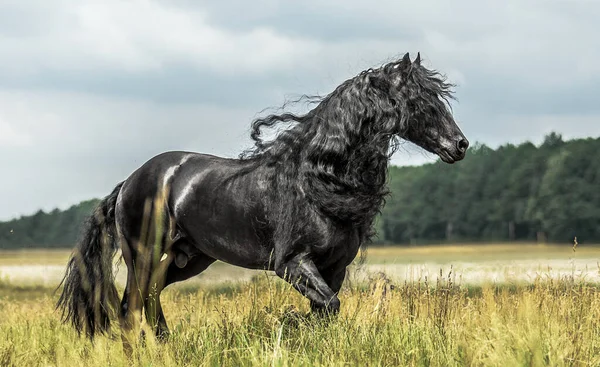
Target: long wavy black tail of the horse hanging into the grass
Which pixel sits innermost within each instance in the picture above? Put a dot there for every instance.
(89, 297)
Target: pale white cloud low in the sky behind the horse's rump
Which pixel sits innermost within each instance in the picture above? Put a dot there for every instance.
(79, 146)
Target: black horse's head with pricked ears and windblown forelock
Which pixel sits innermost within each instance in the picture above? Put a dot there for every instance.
(420, 98)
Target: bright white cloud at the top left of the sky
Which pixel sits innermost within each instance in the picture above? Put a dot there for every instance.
(144, 36)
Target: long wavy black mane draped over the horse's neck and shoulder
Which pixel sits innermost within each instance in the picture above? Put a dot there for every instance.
(336, 155)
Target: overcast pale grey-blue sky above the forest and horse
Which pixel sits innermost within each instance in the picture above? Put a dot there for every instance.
(89, 90)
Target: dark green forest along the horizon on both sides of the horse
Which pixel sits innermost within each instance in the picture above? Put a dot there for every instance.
(545, 193)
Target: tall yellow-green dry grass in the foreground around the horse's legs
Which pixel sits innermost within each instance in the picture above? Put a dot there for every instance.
(263, 323)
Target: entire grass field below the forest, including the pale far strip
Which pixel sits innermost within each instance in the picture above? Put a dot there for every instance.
(433, 316)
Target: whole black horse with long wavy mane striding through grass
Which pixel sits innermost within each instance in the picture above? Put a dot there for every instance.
(300, 204)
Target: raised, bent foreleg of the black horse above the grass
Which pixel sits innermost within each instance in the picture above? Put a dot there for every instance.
(304, 276)
